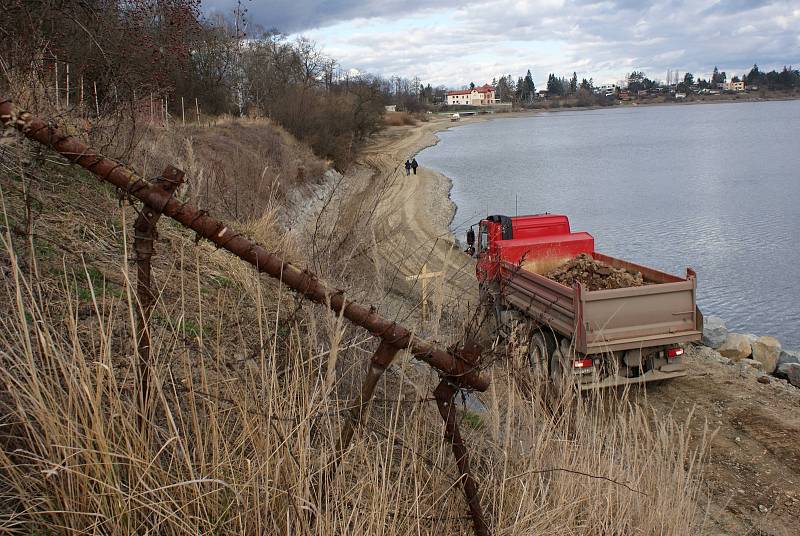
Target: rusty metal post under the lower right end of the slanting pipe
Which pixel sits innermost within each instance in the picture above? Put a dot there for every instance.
(445, 394)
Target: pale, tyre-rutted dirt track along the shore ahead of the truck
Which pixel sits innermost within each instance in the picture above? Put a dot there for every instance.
(409, 216)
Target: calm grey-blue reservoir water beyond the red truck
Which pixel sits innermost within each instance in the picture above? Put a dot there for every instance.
(715, 187)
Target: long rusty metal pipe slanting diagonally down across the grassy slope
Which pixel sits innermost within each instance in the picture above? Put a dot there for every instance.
(223, 236)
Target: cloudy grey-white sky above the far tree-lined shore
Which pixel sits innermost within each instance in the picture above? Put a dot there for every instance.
(452, 43)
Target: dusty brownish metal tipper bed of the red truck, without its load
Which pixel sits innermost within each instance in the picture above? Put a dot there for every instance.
(662, 312)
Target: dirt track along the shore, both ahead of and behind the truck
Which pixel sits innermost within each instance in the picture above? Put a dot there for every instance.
(752, 472)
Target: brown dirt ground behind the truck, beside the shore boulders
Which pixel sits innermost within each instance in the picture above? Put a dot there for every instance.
(752, 474)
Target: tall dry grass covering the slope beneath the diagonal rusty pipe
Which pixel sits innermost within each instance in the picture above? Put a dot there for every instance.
(250, 384)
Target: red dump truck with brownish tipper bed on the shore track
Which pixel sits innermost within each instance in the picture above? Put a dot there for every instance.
(598, 338)
